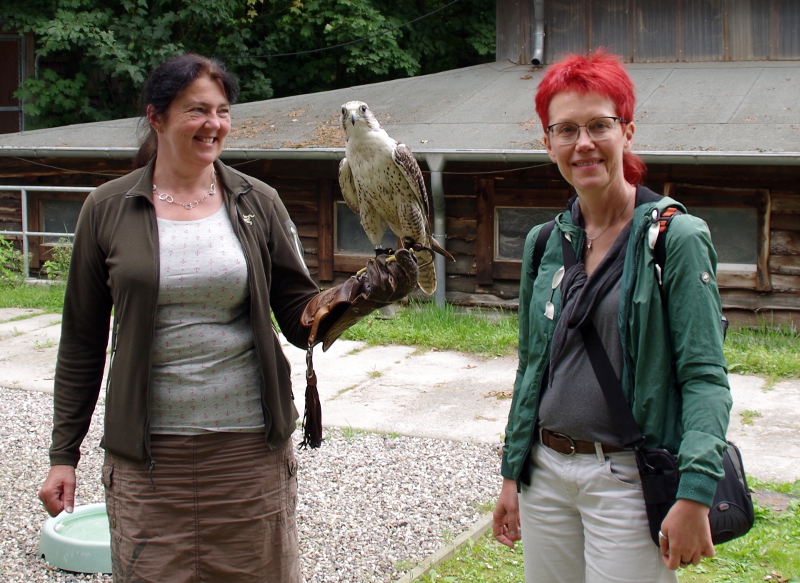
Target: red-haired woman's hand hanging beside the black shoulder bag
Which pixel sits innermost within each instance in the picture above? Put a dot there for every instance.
(687, 534)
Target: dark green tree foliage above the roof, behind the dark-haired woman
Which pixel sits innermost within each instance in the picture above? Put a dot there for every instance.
(95, 54)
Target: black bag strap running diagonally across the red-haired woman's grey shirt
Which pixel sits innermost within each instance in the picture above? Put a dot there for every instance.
(604, 371)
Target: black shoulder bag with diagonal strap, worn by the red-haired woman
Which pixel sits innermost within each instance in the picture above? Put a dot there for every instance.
(731, 513)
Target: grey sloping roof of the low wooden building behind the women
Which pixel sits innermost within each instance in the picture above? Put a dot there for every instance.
(746, 109)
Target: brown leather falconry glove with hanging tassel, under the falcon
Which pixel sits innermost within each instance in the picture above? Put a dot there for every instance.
(385, 280)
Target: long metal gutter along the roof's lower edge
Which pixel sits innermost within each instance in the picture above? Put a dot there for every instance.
(690, 157)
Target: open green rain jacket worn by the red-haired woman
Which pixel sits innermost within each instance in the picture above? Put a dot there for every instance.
(674, 371)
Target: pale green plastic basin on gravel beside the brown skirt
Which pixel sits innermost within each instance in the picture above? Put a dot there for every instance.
(78, 542)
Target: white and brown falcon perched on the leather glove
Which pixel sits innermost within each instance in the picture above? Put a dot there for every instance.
(382, 183)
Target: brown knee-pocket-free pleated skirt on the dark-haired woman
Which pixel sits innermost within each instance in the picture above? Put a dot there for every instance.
(217, 507)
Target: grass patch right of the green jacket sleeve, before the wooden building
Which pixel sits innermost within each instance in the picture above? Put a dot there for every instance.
(770, 352)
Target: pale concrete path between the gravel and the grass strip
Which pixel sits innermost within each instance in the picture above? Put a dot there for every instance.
(445, 395)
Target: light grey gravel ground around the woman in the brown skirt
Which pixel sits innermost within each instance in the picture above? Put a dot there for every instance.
(370, 506)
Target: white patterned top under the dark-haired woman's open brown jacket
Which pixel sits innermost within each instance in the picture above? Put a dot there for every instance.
(205, 374)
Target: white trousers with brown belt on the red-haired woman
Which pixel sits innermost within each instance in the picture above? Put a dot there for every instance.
(584, 521)
